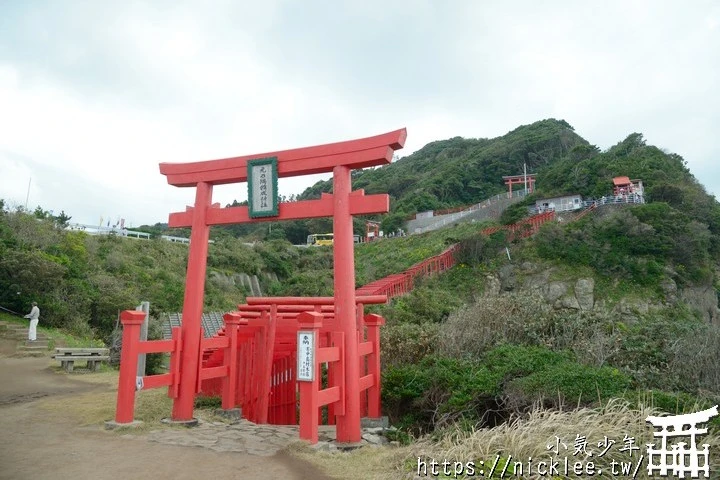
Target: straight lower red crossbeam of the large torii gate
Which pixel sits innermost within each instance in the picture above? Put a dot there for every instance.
(359, 205)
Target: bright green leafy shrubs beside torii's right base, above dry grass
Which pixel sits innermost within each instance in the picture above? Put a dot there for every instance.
(438, 391)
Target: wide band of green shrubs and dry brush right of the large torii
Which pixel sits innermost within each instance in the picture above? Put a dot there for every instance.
(503, 354)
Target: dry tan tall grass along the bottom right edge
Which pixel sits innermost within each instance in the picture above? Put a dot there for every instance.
(530, 436)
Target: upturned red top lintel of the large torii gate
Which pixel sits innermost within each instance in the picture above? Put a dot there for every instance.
(360, 153)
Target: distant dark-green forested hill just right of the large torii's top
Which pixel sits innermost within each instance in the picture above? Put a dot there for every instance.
(461, 171)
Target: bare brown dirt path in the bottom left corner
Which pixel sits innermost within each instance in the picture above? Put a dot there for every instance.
(35, 444)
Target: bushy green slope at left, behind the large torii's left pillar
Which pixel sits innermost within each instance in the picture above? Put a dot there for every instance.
(81, 282)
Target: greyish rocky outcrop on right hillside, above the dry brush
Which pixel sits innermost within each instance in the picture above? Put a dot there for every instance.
(579, 293)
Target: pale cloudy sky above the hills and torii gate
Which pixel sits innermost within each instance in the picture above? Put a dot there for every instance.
(94, 95)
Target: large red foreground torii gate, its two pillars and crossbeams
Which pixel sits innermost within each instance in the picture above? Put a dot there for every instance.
(339, 158)
